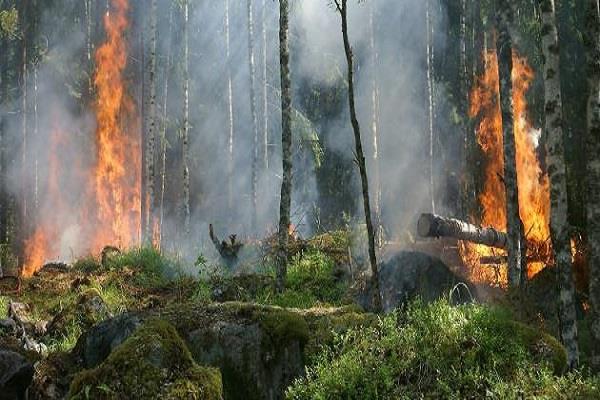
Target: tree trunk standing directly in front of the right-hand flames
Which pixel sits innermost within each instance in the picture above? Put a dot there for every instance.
(516, 251)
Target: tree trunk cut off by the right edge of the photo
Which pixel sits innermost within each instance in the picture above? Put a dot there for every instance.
(593, 171)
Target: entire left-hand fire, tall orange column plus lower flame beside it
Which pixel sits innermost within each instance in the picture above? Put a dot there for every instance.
(111, 210)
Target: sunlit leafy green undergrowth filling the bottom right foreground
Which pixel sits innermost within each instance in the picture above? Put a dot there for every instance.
(440, 351)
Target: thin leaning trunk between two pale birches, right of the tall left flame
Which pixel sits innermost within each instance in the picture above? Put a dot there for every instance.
(163, 133)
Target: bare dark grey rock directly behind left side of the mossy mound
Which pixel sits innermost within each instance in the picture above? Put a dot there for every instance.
(96, 345)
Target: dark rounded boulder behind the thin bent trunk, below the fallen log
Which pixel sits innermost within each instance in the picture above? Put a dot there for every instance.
(411, 274)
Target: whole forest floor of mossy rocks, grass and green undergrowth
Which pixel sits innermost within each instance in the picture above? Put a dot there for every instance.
(132, 325)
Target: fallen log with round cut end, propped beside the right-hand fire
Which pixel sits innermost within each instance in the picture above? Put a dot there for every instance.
(430, 225)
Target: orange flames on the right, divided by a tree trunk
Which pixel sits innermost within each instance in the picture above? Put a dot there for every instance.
(534, 196)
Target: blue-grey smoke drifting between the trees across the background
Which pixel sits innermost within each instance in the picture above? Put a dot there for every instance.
(317, 60)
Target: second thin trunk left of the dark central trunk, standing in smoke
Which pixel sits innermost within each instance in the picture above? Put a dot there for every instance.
(252, 71)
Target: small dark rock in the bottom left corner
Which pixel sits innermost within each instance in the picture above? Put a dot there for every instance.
(16, 374)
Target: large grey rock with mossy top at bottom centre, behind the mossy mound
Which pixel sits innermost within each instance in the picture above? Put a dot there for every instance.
(259, 350)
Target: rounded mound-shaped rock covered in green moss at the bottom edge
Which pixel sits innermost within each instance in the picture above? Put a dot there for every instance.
(153, 363)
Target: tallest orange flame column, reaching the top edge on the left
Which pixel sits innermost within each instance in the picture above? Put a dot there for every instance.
(117, 174)
